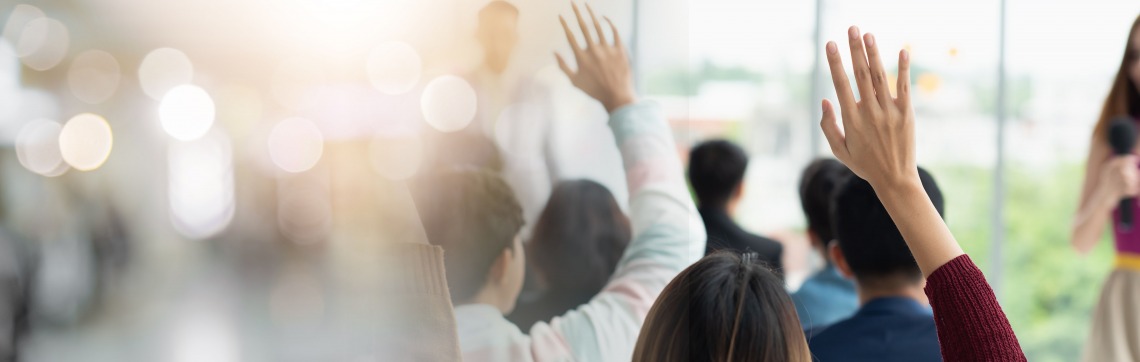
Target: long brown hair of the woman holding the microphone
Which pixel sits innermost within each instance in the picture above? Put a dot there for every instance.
(1123, 98)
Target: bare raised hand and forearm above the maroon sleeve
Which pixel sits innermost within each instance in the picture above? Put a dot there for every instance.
(877, 143)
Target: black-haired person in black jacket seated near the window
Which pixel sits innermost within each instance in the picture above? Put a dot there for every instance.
(716, 172)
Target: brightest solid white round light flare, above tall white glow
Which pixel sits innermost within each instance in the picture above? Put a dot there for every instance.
(188, 113)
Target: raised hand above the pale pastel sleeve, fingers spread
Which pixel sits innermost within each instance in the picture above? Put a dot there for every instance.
(604, 68)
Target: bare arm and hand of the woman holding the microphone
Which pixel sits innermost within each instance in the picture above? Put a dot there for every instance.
(1106, 180)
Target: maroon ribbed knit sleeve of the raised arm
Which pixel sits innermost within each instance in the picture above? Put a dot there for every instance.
(972, 325)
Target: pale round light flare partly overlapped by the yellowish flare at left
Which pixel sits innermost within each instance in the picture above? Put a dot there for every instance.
(38, 149)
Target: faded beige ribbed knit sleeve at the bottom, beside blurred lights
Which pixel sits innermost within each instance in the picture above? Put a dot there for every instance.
(424, 326)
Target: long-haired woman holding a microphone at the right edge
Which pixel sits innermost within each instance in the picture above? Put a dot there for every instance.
(1108, 179)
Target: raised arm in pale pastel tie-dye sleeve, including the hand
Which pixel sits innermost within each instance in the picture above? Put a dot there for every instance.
(669, 235)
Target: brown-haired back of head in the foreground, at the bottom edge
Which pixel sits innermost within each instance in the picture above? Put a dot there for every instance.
(724, 308)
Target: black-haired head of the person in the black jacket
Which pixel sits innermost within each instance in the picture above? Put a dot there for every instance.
(716, 168)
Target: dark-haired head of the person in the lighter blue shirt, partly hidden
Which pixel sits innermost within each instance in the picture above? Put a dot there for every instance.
(817, 187)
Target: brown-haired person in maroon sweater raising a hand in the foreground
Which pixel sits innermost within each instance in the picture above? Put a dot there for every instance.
(730, 308)
